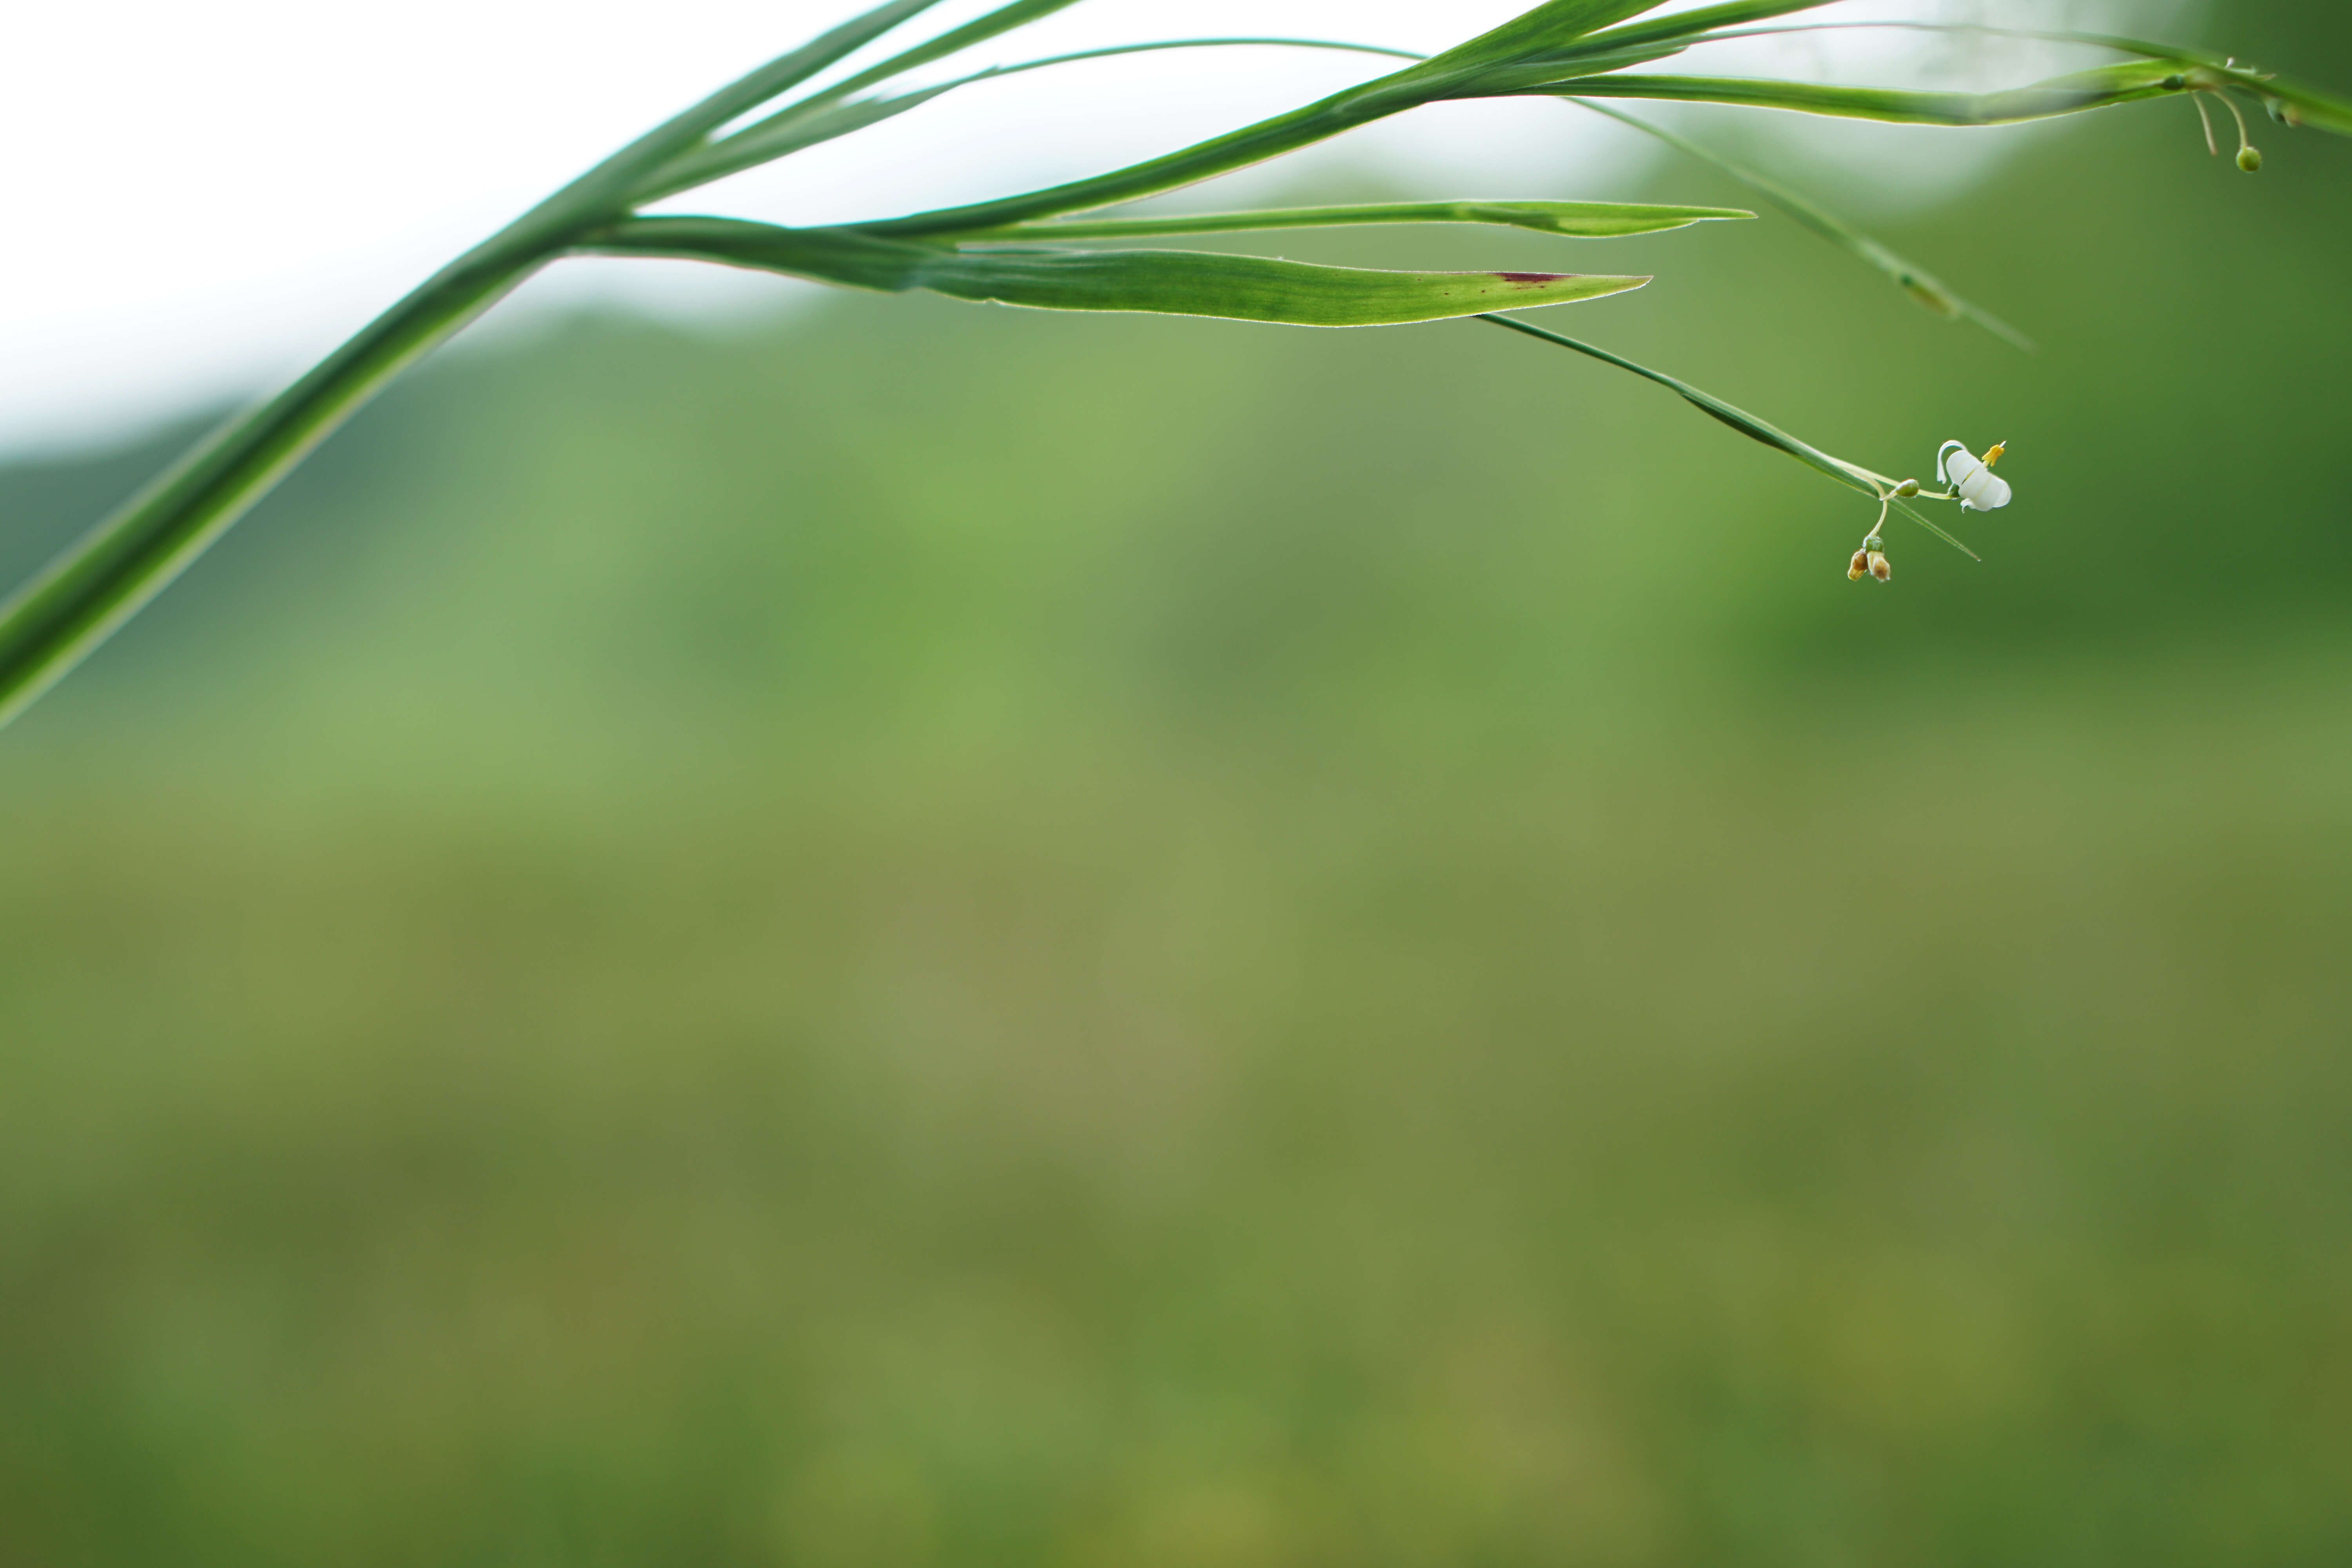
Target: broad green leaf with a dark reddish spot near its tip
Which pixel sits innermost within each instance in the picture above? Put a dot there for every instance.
(1168, 283)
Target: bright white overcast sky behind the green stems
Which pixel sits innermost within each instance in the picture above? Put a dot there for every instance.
(211, 196)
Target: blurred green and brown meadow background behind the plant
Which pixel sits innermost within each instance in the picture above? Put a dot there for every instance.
(928, 934)
